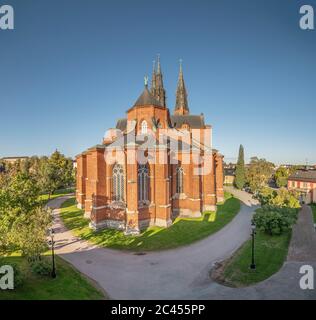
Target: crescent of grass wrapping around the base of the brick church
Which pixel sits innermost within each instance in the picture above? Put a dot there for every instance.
(183, 231)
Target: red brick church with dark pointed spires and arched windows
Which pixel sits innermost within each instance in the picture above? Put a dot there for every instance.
(153, 167)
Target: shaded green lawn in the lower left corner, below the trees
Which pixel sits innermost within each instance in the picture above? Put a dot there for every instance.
(68, 285)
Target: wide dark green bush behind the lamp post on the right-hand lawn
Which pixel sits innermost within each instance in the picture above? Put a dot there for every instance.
(274, 220)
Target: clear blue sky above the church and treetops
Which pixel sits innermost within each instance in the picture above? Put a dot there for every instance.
(71, 68)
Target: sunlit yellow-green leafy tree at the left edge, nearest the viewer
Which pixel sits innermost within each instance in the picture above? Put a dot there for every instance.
(23, 221)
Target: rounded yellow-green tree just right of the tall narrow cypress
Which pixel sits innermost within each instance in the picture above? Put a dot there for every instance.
(258, 173)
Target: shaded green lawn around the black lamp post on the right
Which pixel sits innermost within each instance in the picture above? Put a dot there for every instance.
(270, 254)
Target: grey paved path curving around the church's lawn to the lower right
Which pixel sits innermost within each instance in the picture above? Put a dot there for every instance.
(178, 273)
